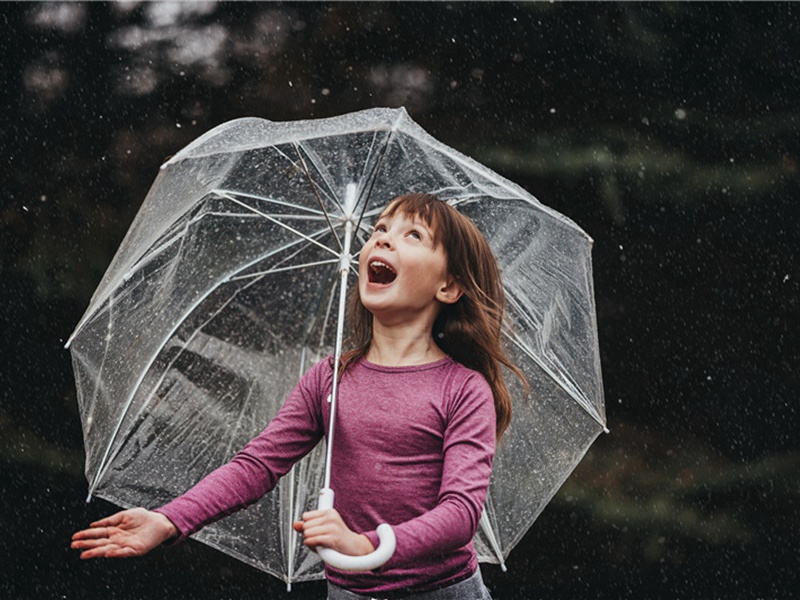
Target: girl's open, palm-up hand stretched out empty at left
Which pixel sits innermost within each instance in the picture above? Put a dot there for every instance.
(127, 533)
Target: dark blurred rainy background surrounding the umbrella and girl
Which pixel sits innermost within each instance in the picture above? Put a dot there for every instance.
(669, 132)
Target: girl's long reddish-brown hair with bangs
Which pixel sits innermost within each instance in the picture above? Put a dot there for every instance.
(470, 329)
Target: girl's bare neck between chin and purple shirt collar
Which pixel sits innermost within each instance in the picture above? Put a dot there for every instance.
(402, 346)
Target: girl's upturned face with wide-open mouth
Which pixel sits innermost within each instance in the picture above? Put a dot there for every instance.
(402, 272)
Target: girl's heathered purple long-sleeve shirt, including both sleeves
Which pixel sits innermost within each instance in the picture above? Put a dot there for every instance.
(413, 447)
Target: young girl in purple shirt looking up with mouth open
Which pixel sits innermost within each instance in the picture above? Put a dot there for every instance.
(421, 403)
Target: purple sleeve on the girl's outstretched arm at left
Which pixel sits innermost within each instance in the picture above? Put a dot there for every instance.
(293, 433)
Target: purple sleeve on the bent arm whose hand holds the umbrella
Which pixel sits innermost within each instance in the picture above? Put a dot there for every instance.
(468, 447)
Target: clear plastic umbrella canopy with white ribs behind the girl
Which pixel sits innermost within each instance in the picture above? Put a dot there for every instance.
(224, 290)
